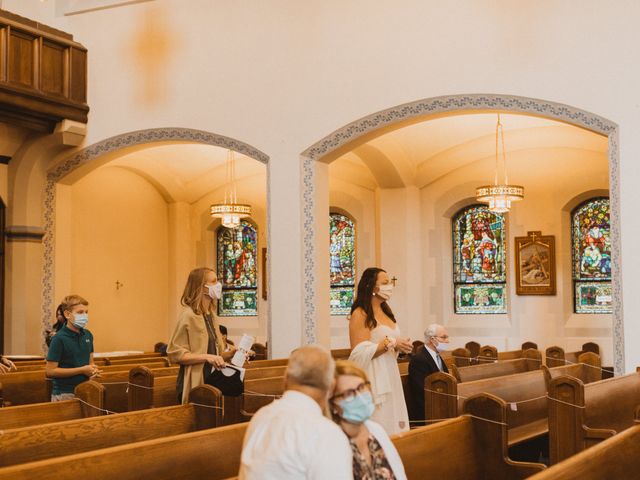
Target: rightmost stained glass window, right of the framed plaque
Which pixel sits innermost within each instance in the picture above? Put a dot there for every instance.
(591, 254)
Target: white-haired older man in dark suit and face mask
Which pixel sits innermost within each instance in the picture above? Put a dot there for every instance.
(426, 361)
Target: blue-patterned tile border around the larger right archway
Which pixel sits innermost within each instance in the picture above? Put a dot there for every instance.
(460, 103)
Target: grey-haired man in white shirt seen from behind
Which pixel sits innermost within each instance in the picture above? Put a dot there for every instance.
(291, 438)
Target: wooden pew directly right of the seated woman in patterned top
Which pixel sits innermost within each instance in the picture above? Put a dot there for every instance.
(464, 448)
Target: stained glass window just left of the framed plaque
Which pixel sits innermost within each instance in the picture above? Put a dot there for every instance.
(479, 261)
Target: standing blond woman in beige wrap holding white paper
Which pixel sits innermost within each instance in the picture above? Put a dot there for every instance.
(196, 341)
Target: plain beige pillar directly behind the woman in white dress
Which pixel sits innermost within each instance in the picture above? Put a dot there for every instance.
(401, 245)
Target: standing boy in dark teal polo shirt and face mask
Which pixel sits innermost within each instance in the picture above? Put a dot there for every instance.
(70, 357)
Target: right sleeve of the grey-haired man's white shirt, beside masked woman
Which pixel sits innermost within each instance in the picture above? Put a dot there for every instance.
(331, 457)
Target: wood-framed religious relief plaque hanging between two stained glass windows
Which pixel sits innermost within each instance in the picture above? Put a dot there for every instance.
(535, 264)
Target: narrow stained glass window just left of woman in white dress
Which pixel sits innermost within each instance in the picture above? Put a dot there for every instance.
(342, 253)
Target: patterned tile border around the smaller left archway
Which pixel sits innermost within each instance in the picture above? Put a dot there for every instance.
(113, 144)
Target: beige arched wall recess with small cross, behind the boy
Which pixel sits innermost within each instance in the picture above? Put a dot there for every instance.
(117, 225)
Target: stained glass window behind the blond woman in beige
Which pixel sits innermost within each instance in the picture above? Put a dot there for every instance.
(238, 270)
